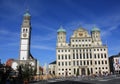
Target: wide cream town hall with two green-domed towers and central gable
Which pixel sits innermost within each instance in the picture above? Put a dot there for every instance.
(84, 55)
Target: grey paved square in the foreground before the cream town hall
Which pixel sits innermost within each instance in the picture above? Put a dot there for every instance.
(113, 79)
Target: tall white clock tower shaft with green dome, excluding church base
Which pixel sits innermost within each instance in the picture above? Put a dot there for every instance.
(25, 37)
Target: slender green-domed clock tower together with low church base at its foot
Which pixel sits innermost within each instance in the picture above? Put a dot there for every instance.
(25, 57)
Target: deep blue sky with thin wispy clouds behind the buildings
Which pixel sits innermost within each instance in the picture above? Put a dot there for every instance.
(48, 16)
